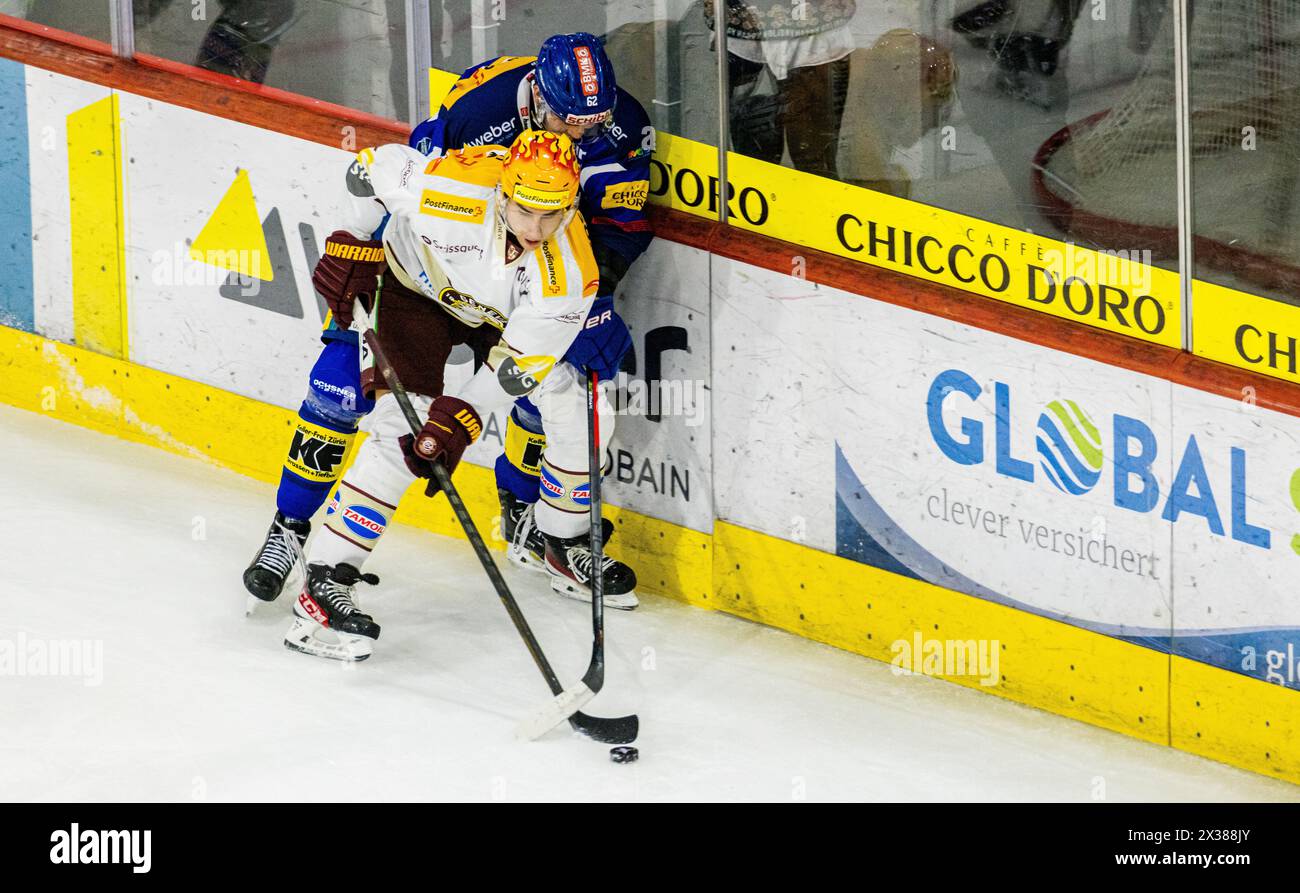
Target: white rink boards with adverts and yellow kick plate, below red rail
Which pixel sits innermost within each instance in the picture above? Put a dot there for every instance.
(853, 471)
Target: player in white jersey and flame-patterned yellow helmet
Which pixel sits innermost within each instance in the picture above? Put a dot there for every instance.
(484, 248)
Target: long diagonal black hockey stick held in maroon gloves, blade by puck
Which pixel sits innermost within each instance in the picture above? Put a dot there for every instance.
(567, 704)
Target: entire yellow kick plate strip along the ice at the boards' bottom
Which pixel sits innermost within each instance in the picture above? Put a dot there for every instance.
(1063, 669)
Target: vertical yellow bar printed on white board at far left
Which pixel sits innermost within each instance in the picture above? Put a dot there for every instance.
(98, 228)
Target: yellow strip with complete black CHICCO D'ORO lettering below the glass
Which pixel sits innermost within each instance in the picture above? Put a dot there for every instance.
(1111, 292)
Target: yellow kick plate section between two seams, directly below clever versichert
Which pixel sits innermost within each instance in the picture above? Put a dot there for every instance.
(1084, 675)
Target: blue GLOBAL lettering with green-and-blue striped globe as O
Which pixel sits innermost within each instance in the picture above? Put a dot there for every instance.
(1072, 457)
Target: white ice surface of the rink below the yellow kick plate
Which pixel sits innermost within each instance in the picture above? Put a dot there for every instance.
(140, 553)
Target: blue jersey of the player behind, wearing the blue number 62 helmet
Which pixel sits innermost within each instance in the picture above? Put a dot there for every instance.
(491, 106)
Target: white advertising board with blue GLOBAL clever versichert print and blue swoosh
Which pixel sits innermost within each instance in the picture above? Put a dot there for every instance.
(1011, 472)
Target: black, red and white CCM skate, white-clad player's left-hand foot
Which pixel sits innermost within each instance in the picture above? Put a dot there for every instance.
(327, 622)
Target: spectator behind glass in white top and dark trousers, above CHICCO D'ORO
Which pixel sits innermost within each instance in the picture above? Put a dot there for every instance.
(805, 45)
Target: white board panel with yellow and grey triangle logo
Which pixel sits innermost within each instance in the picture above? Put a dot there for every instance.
(226, 224)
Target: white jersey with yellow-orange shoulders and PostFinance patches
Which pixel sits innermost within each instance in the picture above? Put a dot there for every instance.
(445, 240)
